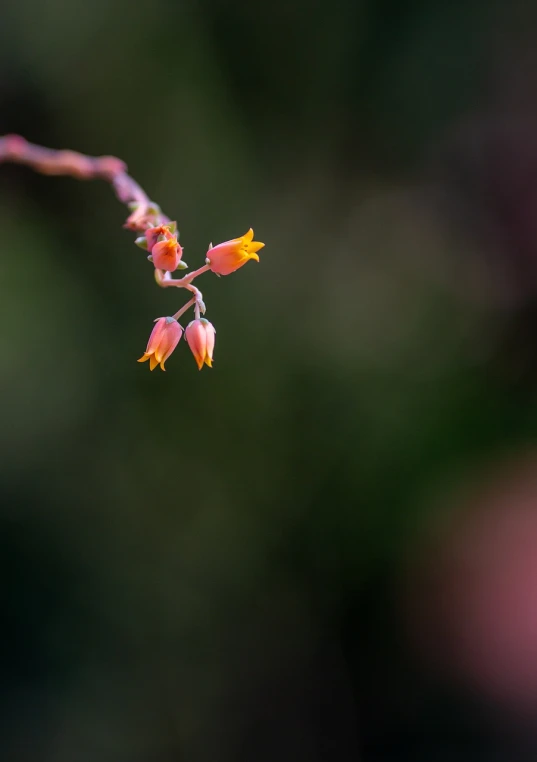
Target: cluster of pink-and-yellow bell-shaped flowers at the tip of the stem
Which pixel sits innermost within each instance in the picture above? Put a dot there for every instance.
(160, 239)
